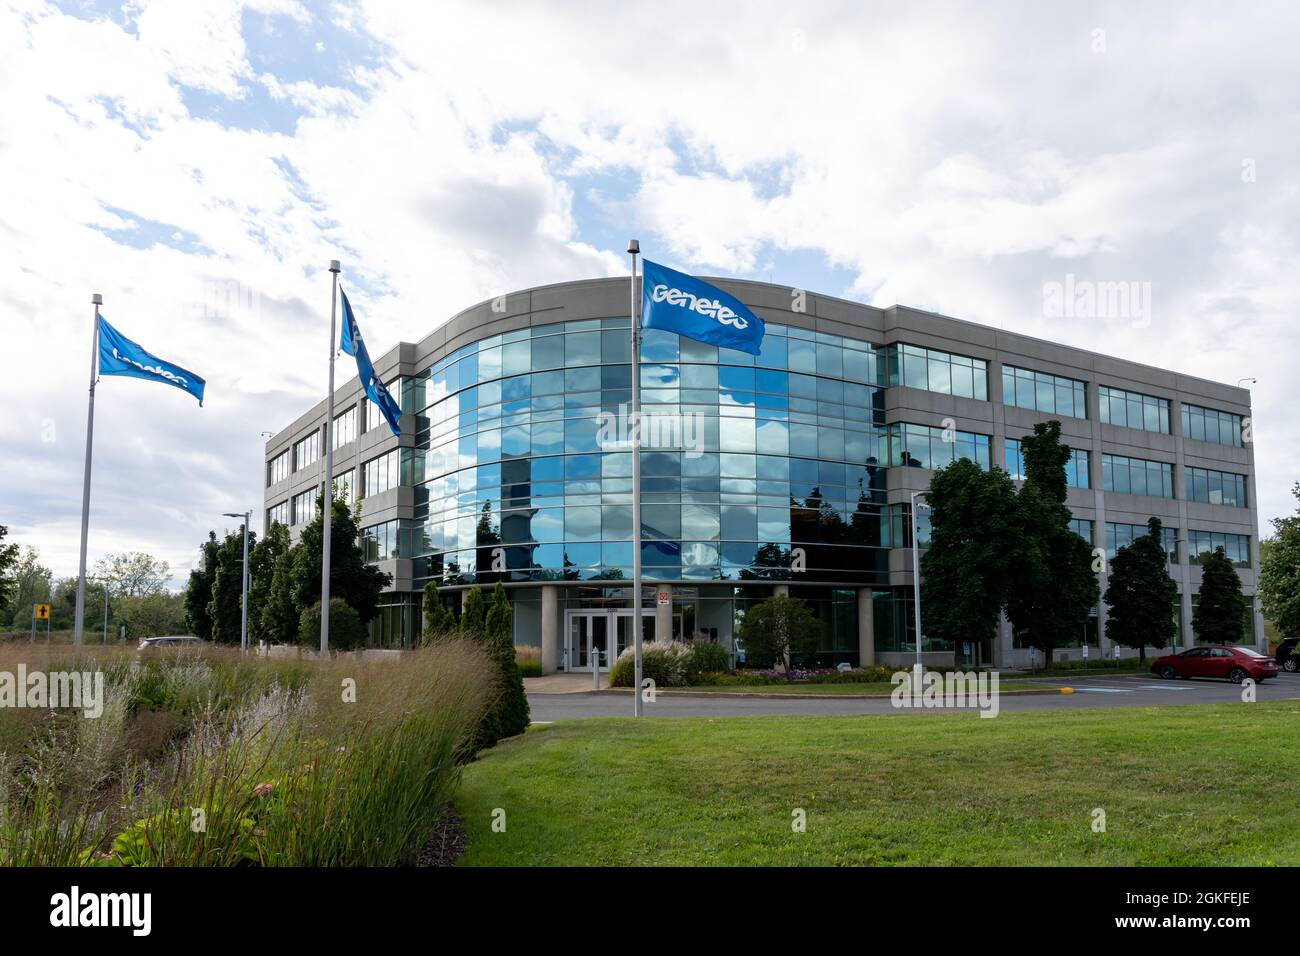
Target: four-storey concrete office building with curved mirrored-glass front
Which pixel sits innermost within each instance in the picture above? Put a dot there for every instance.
(786, 473)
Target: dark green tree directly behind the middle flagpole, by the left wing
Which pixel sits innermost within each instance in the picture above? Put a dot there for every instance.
(350, 578)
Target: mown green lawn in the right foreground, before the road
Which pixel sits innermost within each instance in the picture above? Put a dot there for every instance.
(1180, 785)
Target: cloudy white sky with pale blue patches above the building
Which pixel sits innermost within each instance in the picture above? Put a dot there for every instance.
(200, 165)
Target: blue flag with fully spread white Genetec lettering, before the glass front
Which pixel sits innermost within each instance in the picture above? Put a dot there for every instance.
(677, 302)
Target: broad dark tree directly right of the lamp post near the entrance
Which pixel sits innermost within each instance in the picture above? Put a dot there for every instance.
(964, 572)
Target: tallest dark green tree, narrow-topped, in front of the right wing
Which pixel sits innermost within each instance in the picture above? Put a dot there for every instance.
(1054, 585)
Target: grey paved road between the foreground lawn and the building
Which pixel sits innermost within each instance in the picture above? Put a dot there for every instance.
(1090, 693)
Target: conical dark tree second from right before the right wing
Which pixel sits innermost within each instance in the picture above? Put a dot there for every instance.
(1141, 595)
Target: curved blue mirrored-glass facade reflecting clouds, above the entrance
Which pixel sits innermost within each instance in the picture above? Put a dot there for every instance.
(744, 458)
